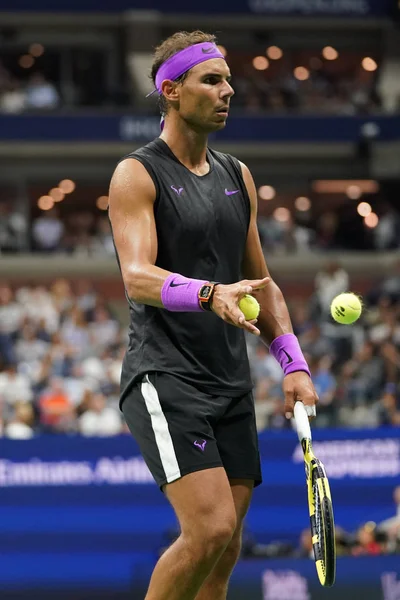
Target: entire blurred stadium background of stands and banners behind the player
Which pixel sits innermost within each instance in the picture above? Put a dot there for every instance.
(316, 117)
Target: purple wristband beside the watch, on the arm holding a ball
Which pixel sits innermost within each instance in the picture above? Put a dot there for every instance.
(181, 294)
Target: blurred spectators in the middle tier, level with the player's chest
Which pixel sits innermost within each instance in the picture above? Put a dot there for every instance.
(87, 232)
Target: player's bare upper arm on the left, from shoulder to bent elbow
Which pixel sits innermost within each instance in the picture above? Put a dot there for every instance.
(131, 203)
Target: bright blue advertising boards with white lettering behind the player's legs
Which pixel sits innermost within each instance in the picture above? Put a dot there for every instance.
(85, 512)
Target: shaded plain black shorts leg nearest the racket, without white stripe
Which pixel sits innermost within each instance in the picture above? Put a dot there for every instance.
(237, 440)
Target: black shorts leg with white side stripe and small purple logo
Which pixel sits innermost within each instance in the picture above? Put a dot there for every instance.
(170, 420)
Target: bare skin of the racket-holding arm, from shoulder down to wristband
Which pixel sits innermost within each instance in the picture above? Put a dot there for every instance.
(274, 319)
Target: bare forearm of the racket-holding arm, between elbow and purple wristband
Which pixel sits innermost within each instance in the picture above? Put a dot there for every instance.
(274, 319)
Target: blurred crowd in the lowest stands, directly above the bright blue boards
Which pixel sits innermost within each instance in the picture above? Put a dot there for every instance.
(61, 350)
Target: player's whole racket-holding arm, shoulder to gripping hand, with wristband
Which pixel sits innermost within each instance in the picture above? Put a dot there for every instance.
(274, 319)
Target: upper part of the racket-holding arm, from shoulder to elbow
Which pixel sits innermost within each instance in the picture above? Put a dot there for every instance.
(253, 265)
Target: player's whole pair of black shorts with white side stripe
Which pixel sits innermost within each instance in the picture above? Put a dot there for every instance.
(180, 429)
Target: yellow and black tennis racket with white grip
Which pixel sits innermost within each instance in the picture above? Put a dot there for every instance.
(319, 502)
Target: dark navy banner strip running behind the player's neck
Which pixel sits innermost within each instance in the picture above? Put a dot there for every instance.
(109, 128)
